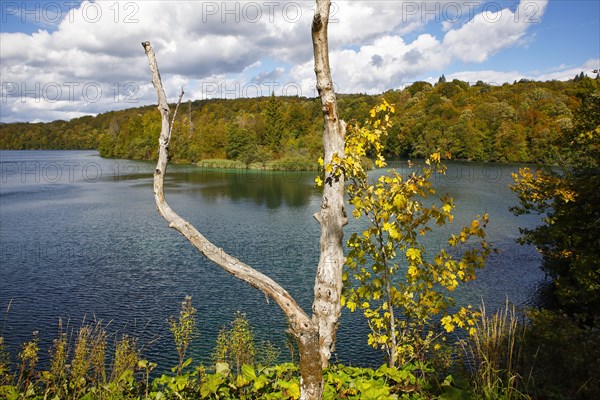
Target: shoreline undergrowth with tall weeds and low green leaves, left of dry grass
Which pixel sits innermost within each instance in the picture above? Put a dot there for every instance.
(90, 363)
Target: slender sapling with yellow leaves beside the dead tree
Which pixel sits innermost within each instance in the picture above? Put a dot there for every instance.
(402, 289)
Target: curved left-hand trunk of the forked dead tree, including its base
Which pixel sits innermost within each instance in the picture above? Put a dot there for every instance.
(302, 326)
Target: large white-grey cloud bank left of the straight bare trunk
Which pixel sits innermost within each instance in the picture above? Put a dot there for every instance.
(94, 60)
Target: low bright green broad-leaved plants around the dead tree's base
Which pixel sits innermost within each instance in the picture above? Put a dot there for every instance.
(283, 382)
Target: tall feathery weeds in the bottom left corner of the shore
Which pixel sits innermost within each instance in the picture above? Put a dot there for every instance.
(78, 366)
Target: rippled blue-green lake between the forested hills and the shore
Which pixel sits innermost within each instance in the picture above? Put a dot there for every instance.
(80, 239)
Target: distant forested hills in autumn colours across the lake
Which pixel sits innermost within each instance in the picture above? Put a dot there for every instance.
(516, 122)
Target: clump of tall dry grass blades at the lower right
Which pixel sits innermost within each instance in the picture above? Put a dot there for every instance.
(495, 354)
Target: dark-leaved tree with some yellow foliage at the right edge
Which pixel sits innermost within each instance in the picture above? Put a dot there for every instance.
(568, 197)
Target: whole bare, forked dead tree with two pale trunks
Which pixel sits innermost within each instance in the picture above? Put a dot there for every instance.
(315, 334)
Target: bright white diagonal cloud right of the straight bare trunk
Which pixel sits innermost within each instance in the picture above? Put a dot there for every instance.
(399, 62)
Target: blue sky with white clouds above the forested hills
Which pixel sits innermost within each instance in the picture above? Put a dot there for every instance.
(66, 59)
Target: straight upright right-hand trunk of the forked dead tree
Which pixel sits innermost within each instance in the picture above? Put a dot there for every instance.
(332, 217)
